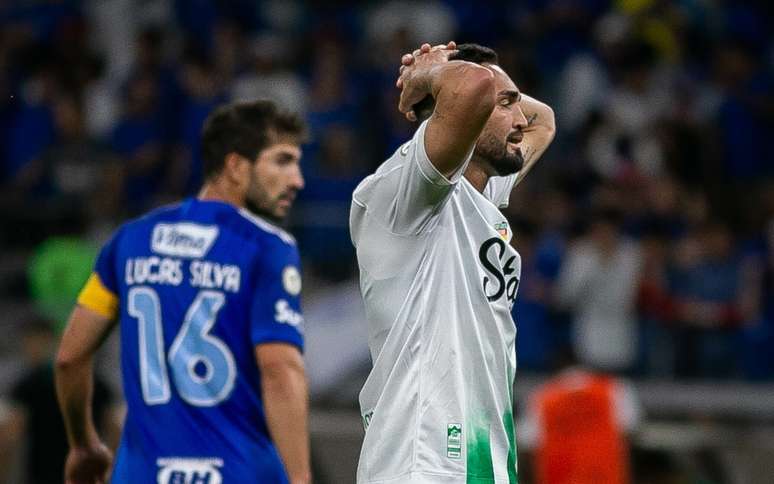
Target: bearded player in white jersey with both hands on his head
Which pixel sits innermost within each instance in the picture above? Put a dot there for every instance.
(438, 274)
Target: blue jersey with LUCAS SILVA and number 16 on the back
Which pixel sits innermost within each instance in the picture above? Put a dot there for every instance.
(195, 287)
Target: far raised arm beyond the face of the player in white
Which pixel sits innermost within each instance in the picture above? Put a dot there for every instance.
(540, 131)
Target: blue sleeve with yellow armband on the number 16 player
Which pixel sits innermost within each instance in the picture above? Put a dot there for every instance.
(100, 294)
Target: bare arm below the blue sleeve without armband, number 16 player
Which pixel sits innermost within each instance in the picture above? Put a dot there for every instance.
(286, 408)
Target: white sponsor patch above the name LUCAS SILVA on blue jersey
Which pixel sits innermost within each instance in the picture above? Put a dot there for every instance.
(183, 239)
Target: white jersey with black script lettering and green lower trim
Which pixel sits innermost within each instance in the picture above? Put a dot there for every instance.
(438, 278)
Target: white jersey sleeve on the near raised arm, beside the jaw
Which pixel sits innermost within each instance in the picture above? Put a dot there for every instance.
(407, 191)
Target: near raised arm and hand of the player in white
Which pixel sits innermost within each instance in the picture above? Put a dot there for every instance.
(464, 95)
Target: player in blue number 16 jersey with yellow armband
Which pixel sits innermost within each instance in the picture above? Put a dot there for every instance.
(206, 294)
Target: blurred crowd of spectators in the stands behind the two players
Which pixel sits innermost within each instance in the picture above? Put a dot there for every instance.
(647, 230)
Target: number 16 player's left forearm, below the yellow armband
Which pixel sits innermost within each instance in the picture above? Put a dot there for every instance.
(74, 388)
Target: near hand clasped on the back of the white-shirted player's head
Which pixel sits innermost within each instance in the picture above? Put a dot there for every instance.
(414, 75)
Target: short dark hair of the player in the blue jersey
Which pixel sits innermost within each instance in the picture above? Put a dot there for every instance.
(245, 129)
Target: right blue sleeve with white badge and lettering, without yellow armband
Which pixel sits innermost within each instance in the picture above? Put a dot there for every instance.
(276, 315)
